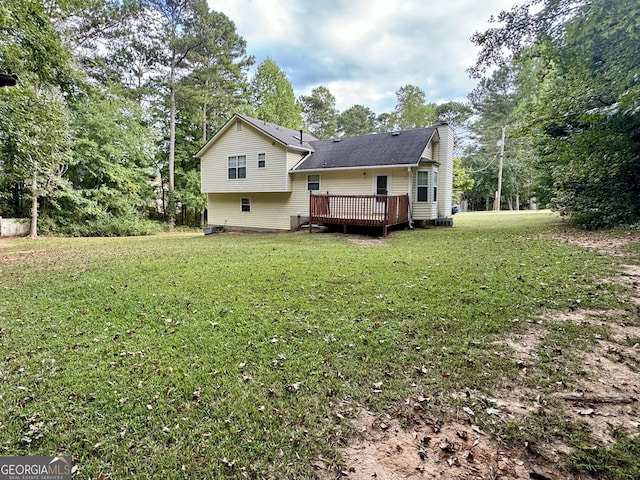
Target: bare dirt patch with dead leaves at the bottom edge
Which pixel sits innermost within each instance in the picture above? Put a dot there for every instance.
(455, 451)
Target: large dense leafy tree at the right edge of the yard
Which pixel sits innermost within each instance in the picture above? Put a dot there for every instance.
(584, 113)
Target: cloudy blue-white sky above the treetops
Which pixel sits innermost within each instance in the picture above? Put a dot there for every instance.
(363, 51)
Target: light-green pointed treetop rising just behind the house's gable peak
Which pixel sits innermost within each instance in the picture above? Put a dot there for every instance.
(272, 96)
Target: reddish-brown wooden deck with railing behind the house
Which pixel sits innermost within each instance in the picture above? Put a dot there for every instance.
(362, 210)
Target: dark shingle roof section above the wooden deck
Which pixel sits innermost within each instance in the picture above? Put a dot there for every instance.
(398, 148)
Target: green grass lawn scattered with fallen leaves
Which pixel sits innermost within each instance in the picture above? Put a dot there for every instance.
(184, 356)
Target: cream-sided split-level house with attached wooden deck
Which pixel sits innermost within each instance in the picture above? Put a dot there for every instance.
(259, 176)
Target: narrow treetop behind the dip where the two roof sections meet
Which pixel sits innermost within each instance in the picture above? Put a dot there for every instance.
(319, 113)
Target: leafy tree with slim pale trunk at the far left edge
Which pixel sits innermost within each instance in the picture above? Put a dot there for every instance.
(32, 154)
